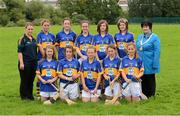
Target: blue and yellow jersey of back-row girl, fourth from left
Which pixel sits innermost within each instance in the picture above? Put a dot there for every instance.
(101, 43)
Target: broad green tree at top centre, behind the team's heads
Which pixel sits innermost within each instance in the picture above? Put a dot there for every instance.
(94, 10)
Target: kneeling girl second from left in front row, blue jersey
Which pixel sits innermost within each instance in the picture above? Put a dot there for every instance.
(68, 71)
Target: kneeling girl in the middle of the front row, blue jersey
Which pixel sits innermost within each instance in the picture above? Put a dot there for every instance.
(91, 72)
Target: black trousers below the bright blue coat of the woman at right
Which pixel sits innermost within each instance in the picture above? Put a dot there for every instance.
(149, 84)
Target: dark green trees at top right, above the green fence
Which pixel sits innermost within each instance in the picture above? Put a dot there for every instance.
(154, 8)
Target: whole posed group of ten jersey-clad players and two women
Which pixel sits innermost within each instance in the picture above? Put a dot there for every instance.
(71, 67)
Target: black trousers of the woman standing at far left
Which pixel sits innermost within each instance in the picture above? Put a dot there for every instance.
(27, 78)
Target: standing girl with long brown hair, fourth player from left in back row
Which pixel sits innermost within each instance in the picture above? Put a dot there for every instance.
(102, 39)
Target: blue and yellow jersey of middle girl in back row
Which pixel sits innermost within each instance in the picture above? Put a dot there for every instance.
(82, 42)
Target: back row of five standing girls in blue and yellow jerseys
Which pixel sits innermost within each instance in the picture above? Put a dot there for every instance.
(67, 37)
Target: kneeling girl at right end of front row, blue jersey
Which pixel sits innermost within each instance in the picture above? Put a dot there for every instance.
(132, 70)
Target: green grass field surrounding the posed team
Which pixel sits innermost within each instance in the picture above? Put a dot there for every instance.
(167, 99)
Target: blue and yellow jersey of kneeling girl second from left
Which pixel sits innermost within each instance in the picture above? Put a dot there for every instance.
(68, 68)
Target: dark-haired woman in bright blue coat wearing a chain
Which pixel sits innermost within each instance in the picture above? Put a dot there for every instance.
(148, 46)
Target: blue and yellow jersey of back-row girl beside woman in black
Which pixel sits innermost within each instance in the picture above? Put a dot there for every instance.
(44, 40)
